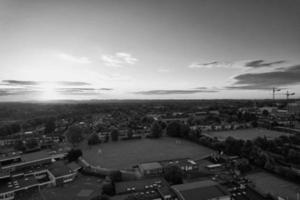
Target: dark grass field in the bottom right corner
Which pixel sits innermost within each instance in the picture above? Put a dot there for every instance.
(274, 185)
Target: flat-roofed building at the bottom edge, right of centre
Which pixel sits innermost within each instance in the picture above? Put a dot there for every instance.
(201, 190)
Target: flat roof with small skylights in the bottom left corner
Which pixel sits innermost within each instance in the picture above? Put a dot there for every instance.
(18, 184)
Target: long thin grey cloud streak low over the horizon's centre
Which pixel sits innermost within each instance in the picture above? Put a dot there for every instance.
(167, 92)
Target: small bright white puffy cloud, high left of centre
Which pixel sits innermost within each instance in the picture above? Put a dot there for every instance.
(118, 59)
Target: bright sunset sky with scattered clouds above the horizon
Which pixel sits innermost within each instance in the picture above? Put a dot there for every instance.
(148, 49)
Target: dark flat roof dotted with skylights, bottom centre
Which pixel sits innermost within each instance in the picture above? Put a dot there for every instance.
(140, 185)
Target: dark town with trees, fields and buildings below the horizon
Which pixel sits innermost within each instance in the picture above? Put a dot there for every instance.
(150, 150)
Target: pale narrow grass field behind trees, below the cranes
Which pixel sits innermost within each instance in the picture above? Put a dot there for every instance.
(247, 134)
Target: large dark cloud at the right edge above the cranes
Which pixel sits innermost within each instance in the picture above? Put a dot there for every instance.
(267, 80)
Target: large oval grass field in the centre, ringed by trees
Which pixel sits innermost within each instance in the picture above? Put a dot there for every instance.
(125, 154)
